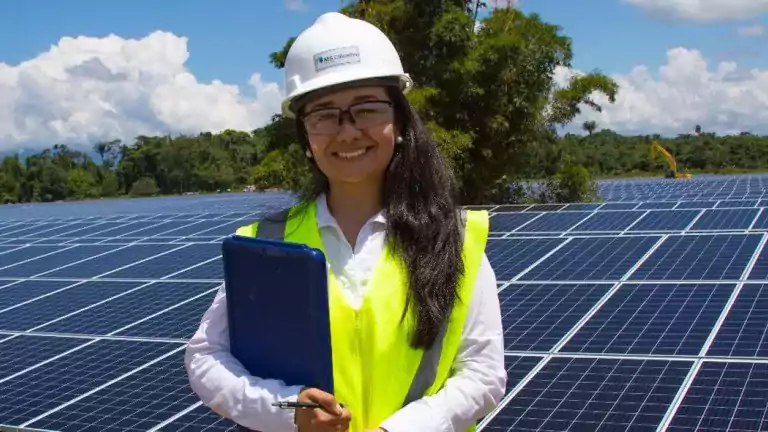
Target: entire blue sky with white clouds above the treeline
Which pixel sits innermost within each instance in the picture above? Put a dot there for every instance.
(84, 71)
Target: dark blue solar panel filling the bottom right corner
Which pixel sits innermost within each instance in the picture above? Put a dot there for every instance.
(725, 396)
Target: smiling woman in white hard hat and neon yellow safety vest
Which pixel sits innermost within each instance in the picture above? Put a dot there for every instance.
(415, 319)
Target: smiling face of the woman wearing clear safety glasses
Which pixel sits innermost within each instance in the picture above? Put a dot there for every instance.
(351, 134)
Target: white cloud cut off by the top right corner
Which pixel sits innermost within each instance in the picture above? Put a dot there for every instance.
(703, 10)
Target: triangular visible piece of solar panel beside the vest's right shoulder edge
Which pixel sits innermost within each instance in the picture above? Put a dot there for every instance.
(510, 257)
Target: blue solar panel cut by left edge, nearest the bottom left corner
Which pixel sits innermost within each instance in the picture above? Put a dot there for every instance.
(52, 384)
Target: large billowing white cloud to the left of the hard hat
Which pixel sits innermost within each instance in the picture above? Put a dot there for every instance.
(87, 89)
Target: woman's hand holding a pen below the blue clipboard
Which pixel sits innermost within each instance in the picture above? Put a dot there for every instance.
(331, 418)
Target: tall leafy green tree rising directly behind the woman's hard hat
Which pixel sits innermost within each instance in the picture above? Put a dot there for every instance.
(492, 90)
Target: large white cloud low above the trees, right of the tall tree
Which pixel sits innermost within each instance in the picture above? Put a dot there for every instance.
(685, 92)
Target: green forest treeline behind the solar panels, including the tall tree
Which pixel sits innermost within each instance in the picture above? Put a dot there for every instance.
(485, 88)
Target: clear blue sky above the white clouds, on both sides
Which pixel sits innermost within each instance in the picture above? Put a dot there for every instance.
(231, 39)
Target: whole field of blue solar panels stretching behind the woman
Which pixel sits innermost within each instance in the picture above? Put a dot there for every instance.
(647, 312)
